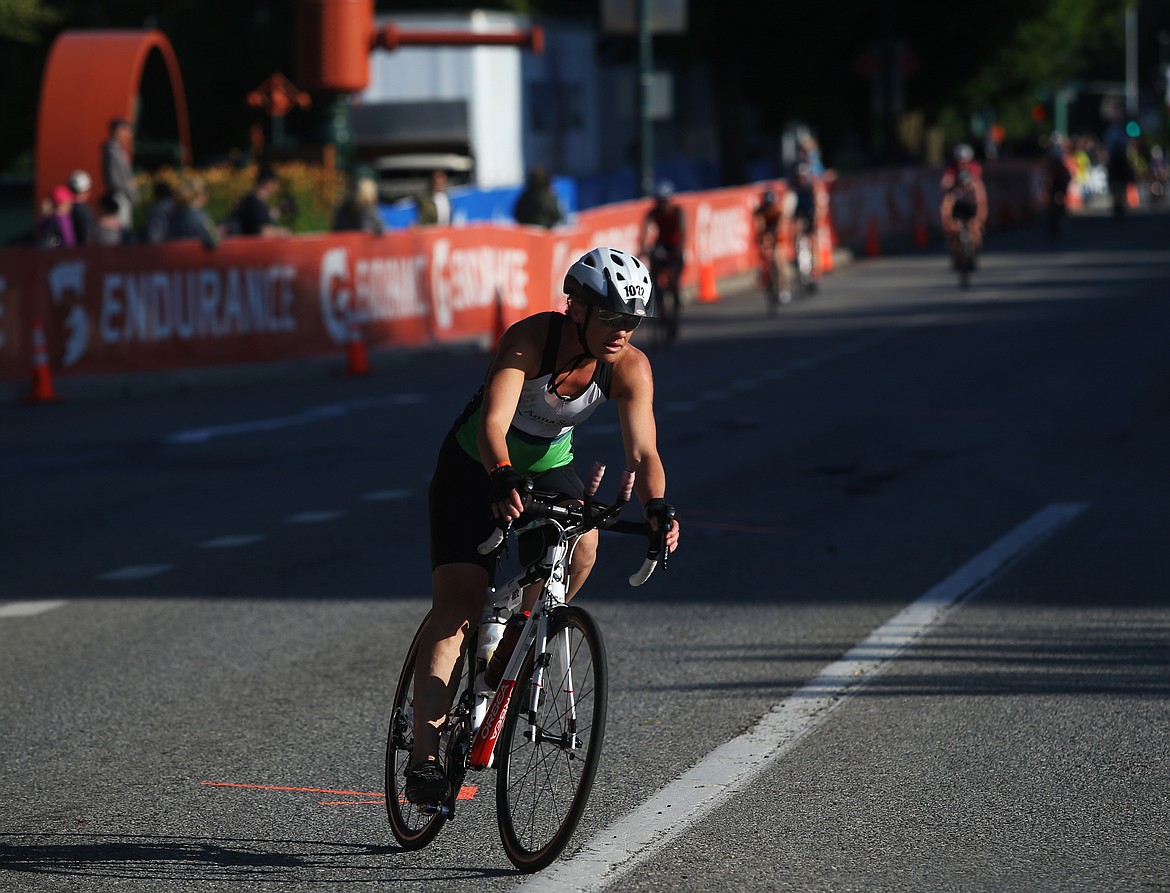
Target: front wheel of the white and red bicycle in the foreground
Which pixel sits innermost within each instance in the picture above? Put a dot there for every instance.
(547, 759)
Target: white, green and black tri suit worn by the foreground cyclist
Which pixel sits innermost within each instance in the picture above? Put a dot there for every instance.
(540, 446)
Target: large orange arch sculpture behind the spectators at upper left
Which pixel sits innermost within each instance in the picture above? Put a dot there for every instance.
(91, 78)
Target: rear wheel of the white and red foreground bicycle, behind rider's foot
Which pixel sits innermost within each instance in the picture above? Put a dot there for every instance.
(412, 828)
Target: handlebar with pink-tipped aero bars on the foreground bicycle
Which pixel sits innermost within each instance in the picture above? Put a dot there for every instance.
(588, 517)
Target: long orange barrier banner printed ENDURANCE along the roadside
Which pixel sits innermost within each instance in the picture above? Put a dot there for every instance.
(178, 306)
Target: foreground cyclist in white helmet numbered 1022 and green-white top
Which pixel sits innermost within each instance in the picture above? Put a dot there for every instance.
(549, 374)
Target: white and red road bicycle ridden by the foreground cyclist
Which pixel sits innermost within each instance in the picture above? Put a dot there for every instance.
(541, 727)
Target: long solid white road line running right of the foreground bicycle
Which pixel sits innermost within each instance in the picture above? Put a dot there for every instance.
(729, 768)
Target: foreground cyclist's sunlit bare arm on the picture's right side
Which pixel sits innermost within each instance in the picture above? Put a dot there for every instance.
(634, 388)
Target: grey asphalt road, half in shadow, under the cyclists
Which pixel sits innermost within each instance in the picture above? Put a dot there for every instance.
(207, 594)
